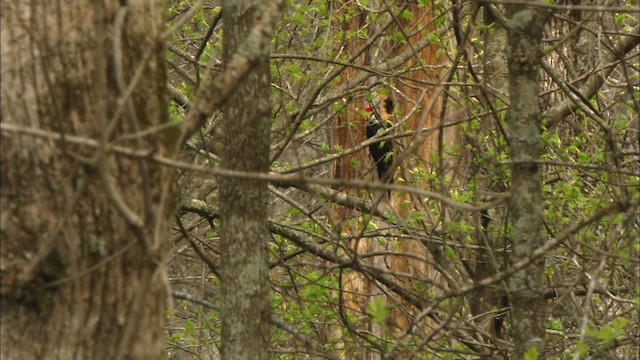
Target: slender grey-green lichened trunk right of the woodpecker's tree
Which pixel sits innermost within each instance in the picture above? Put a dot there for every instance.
(526, 291)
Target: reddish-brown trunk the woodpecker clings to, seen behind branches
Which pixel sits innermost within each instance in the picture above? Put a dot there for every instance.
(359, 291)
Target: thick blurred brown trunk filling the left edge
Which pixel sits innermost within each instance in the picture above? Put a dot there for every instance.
(83, 227)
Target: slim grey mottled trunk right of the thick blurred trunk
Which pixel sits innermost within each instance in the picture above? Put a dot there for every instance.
(243, 203)
